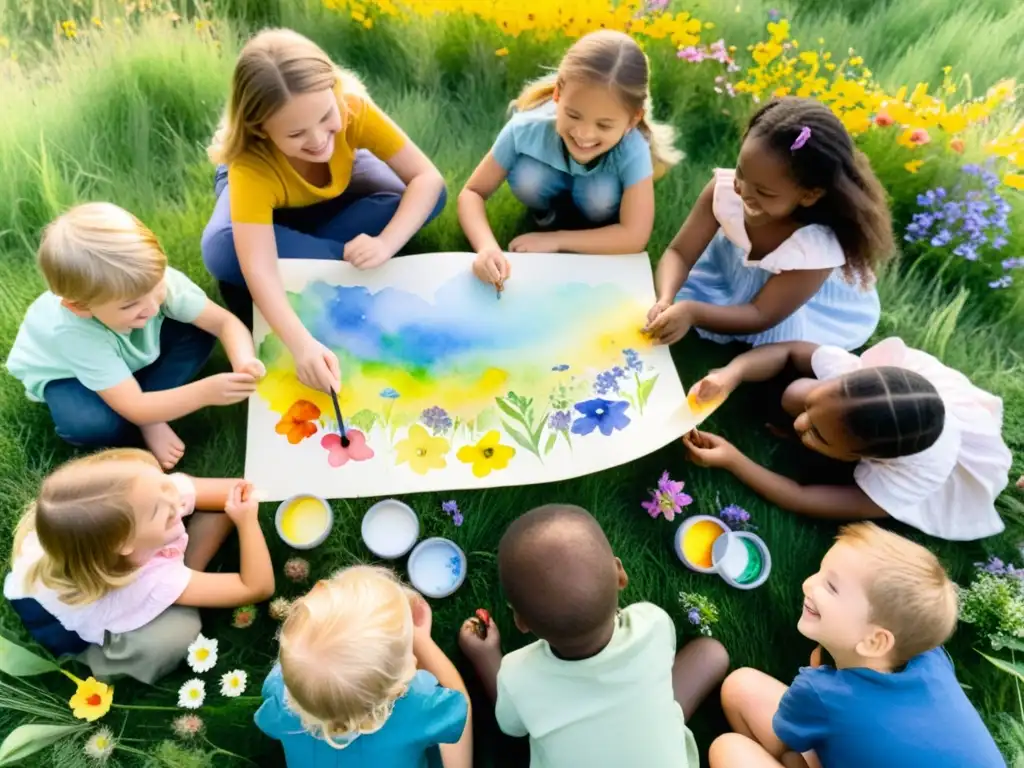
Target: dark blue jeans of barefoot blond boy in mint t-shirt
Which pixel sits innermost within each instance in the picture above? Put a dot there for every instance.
(82, 418)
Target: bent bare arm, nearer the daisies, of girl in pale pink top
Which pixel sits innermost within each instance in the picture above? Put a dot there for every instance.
(254, 582)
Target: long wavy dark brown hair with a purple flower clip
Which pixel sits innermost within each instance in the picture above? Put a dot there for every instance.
(855, 204)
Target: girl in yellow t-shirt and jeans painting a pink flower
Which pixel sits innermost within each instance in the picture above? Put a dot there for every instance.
(309, 168)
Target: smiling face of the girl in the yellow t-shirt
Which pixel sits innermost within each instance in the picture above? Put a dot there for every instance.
(305, 129)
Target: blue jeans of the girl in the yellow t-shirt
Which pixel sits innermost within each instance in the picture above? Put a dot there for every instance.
(317, 232)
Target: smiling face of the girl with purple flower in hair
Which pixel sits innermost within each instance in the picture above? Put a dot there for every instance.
(766, 187)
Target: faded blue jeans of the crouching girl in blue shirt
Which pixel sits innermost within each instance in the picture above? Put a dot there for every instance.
(596, 197)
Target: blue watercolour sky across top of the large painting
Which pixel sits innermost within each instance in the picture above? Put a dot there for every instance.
(466, 320)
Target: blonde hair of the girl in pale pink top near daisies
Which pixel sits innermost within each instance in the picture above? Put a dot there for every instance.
(83, 518)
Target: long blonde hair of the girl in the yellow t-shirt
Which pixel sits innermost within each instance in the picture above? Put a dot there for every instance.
(273, 67)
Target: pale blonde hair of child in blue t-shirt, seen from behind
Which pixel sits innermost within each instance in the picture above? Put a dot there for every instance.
(347, 652)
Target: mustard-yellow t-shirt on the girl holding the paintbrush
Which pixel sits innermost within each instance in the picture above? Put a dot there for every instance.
(263, 180)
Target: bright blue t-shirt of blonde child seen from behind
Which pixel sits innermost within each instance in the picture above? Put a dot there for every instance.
(429, 715)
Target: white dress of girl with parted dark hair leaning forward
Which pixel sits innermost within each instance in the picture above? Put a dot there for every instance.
(950, 490)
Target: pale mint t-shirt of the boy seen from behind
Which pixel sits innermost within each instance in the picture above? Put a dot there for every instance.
(613, 710)
